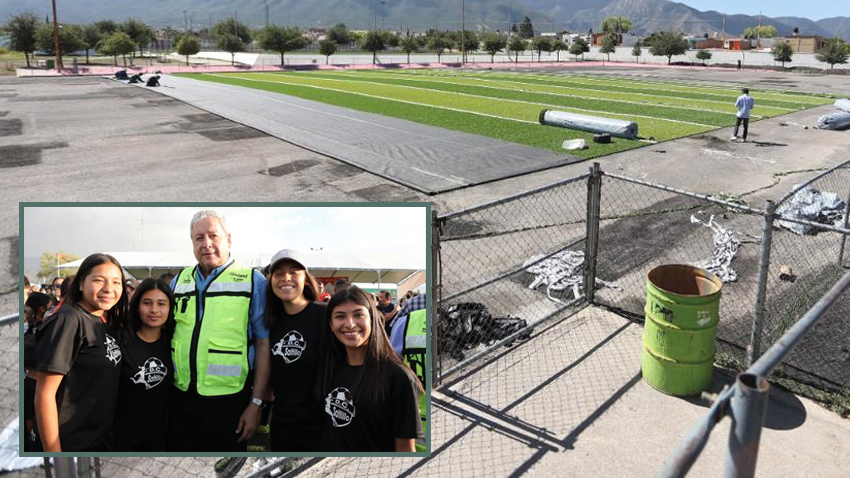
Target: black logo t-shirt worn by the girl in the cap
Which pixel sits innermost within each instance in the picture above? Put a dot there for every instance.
(294, 342)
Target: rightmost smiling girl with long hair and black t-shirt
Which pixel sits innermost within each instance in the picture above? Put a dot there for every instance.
(371, 399)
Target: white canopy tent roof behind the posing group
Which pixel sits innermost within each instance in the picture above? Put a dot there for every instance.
(360, 267)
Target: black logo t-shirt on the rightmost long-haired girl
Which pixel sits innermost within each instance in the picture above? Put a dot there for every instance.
(363, 425)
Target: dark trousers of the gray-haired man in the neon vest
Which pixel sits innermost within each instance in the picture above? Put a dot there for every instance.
(206, 424)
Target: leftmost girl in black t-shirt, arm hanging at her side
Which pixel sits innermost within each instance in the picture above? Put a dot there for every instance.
(79, 360)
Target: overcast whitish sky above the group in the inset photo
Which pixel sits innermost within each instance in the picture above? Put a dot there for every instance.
(86, 230)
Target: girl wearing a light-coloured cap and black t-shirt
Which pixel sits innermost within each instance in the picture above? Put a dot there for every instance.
(295, 321)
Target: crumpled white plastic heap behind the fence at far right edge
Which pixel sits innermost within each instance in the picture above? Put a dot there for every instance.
(811, 205)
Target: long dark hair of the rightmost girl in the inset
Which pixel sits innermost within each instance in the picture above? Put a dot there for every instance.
(379, 351)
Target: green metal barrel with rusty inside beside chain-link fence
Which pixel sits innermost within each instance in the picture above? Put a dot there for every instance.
(682, 312)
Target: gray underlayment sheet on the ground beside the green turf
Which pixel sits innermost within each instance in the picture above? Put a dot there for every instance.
(425, 158)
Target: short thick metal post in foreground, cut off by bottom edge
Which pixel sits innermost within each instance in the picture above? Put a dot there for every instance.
(747, 410)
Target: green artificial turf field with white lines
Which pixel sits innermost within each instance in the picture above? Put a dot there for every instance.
(506, 105)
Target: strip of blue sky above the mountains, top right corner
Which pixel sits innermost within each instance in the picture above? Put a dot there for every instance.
(812, 9)
